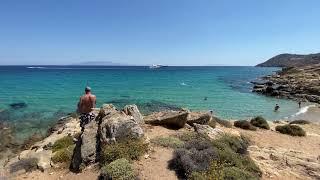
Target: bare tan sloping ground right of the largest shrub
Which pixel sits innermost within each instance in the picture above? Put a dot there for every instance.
(282, 156)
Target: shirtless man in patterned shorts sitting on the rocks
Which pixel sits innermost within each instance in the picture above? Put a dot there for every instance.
(85, 105)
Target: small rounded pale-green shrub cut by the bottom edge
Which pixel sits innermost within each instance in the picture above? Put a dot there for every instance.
(119, 169)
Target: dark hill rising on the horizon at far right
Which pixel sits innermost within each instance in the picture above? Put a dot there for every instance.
(291, 60)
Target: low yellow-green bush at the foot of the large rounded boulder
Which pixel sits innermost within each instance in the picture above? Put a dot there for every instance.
(130, 149)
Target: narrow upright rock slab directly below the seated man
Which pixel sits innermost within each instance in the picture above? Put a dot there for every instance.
(89, 142)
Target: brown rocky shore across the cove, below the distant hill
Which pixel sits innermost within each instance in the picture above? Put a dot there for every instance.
(297, 83)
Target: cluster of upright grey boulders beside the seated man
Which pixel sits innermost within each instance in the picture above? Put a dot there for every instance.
(109, 126)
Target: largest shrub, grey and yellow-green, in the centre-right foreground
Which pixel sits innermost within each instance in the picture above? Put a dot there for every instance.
(223, 158)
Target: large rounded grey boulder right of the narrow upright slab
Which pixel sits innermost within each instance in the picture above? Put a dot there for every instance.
(119, 126)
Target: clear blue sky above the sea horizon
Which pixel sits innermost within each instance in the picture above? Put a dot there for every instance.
(173, 32)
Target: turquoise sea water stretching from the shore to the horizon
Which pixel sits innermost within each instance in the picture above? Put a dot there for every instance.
(52, 91)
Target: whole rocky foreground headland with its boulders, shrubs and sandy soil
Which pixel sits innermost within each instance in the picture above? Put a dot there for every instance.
(124, 144)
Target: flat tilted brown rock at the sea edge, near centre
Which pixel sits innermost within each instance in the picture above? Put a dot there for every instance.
(175, 119)
